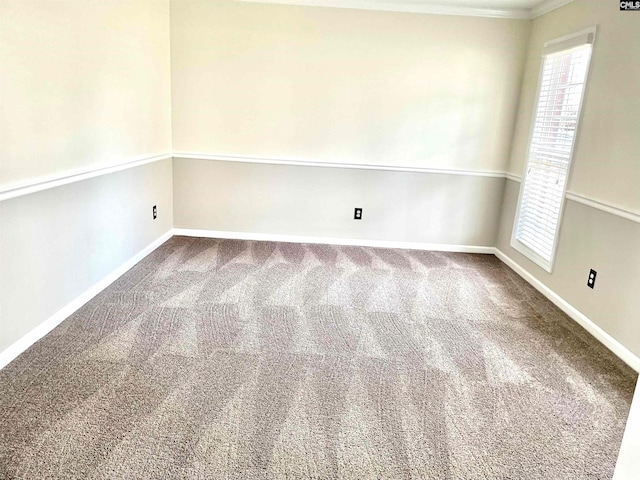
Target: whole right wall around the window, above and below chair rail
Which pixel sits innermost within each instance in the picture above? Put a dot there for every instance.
(605, 168)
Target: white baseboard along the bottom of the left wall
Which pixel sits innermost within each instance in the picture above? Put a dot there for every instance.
(10, 353)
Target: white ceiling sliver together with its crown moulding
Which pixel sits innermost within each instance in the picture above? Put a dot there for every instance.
(479, 8)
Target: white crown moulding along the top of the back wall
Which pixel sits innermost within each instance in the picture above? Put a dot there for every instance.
(409, 6)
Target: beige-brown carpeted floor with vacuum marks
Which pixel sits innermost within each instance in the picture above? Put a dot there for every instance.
(220, 359)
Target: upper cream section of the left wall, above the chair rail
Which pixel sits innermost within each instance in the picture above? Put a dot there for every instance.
(84, 83)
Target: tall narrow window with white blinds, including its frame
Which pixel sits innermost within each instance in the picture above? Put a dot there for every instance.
(565, 65)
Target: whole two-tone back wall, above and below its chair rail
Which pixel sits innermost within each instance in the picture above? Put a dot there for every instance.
(336, 85)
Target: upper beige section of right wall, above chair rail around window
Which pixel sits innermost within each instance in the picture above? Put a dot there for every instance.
(606, 163)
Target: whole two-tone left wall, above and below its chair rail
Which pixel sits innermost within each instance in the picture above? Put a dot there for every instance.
(84, 84)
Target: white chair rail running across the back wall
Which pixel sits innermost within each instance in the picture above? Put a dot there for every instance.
(356, 166)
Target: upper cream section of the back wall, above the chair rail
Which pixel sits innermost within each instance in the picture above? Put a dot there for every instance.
(338, 85)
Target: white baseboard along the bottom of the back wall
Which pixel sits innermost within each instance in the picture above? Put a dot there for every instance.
(273, 237)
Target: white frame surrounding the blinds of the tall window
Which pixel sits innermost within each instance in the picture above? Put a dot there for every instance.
(515, 243)
